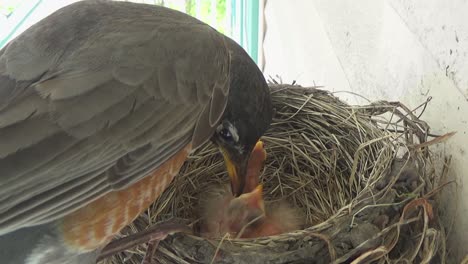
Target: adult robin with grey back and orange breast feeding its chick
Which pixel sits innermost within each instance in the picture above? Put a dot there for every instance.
(100, 104)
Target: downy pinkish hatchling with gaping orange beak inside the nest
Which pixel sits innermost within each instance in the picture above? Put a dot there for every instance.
(245, 216)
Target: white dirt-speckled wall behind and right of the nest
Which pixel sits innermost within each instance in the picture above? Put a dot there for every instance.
(395, 50)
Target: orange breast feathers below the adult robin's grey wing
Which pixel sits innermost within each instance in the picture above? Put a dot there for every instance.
(95, 224)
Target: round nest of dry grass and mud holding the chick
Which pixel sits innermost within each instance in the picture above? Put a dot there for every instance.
(363, 176)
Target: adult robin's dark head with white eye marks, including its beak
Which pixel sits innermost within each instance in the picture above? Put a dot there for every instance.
(247, 116)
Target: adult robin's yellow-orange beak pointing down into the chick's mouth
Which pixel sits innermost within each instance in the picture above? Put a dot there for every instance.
(237, 170)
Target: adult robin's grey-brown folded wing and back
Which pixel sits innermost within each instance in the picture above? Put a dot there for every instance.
(97, 96)
